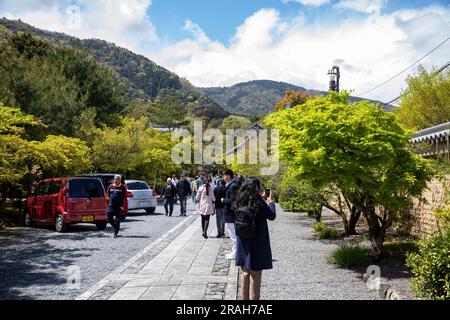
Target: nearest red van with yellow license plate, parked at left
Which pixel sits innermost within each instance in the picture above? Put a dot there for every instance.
(65, 201)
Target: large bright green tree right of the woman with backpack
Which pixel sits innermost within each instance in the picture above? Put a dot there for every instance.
(358, 148)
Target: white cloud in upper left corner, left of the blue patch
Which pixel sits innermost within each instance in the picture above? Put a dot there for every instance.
(124, 23)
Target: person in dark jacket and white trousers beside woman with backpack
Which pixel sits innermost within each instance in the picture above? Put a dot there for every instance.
(232, 188)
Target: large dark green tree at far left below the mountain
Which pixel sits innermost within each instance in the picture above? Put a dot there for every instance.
(56, 84)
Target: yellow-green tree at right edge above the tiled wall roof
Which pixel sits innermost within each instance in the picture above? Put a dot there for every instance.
(426, 101)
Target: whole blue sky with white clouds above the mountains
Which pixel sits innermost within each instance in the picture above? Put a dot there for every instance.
(224, 42)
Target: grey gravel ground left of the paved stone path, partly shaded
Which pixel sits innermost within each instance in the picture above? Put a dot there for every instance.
(34, 262)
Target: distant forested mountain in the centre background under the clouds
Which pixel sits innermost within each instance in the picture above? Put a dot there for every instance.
(257, 97)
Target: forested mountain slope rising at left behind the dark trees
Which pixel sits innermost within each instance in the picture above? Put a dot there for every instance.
(140, 78)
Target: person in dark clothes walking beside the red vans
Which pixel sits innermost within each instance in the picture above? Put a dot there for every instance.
(117, 195)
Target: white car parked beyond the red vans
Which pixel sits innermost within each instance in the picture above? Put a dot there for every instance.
(143, 196)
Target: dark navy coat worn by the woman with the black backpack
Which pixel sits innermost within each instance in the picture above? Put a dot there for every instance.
(256, 254)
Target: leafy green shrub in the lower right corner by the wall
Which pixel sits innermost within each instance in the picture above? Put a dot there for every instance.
(431, 266)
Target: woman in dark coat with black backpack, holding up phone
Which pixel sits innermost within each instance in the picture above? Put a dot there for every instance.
(253, 243)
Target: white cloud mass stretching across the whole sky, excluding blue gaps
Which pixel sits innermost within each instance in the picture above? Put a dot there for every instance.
(266, 46)
